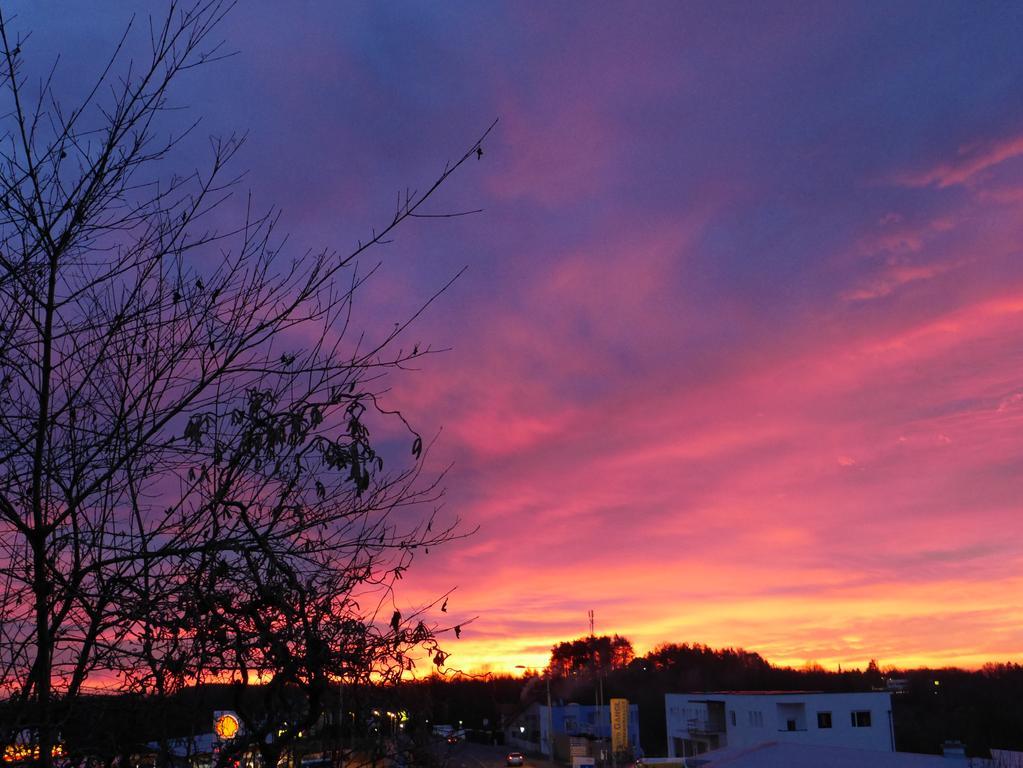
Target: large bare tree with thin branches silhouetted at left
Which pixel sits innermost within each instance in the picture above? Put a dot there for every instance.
(189, 488)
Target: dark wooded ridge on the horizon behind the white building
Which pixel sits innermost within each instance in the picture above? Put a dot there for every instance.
(983, 708)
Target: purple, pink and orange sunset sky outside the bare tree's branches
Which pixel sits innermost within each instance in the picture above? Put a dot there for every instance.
(738, 358)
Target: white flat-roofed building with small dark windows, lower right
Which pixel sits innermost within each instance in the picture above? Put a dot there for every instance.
(701, 722)
